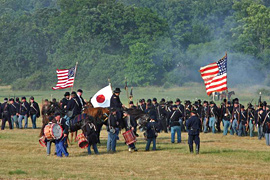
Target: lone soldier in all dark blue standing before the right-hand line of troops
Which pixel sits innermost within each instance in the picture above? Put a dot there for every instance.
(193, 127)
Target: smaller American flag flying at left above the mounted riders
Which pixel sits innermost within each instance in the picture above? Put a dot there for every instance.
(65, 78)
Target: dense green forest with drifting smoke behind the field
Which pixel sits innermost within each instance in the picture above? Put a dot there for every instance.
(151, 42)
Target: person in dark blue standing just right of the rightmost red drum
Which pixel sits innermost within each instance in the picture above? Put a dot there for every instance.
(151, 133)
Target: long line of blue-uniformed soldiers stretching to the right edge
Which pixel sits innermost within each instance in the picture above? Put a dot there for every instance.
(234, 116)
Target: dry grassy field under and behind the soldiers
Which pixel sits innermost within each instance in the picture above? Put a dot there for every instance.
(222, 157)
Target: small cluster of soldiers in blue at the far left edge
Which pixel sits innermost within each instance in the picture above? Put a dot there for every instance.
(15, 111)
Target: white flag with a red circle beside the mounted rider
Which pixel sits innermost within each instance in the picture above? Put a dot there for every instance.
(102, 97)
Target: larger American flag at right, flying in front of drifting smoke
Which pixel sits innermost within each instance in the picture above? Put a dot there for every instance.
(215, 76)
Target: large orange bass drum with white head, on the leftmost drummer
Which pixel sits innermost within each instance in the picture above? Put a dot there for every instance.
(53, 131)
